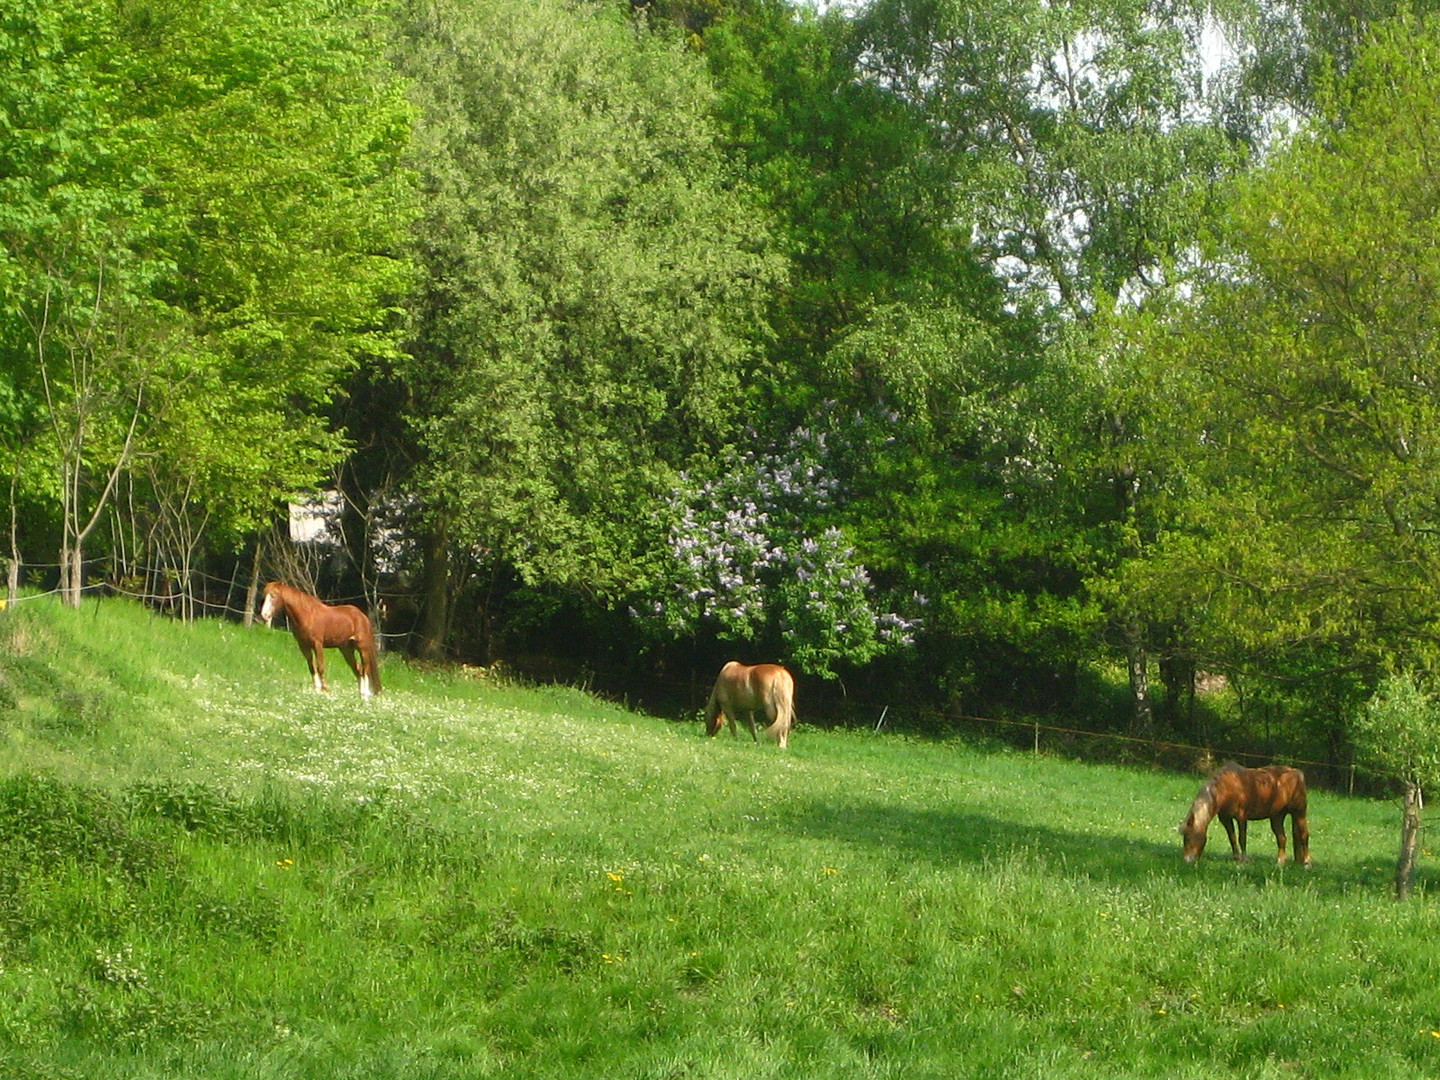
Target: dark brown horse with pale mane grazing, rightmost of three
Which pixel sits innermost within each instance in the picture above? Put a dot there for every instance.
(1239, 794)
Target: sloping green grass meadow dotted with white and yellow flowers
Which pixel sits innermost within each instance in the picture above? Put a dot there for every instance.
(208, 870)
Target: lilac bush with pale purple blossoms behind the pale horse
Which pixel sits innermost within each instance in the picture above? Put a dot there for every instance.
(752, 561)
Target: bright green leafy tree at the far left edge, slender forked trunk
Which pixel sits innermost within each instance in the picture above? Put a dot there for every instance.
(86, 342)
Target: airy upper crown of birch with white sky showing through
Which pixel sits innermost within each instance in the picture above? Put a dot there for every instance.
(1078, 133)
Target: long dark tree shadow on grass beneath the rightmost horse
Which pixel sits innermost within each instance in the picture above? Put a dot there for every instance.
(953, 837)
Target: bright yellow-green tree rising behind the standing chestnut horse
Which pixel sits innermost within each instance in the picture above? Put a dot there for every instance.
(284, 132)
